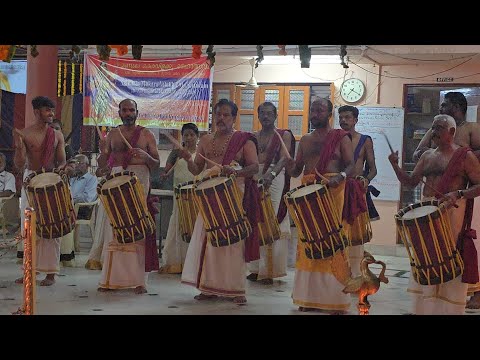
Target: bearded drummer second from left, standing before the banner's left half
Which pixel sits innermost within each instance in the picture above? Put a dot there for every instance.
(124, 264)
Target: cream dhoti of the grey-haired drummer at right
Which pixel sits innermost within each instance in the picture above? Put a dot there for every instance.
(448, 298)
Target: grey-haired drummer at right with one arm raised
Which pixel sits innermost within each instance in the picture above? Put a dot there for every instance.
(447, 169)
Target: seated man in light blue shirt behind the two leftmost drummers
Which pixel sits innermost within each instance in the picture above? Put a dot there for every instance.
(83, 187)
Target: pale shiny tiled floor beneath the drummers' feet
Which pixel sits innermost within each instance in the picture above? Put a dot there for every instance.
(75, 293)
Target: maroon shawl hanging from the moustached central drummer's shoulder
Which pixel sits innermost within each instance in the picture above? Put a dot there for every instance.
(251, 197)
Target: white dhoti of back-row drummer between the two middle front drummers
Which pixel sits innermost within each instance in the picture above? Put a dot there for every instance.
(273, 257)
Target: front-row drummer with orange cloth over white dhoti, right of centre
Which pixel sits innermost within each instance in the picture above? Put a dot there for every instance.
(329, 152)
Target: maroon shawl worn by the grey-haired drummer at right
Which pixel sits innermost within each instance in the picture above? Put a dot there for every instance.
(467, 234)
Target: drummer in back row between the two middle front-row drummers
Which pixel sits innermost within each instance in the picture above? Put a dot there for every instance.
(273, 257)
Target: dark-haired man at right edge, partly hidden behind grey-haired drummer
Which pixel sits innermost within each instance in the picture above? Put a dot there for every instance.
(467, 135)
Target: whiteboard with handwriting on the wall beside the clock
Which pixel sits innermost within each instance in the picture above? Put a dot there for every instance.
(371, 121)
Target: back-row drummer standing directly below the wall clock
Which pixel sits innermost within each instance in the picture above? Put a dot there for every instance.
(359, 232)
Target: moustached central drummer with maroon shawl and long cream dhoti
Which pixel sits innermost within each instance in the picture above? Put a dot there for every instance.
(220, 271)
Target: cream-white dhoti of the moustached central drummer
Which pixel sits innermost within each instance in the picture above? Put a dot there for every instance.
(214, 270)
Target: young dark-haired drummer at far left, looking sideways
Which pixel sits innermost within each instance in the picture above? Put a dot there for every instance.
(40, 146)
